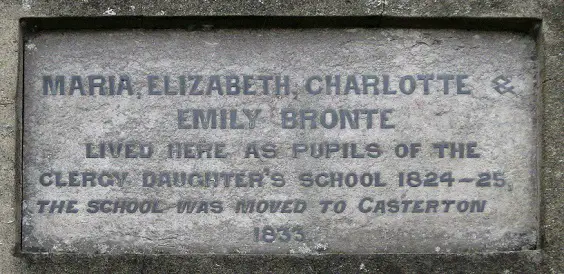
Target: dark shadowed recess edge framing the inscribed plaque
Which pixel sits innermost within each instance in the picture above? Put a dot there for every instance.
(30, 26)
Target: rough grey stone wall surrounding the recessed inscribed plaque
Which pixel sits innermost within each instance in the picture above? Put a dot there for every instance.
(547, 259)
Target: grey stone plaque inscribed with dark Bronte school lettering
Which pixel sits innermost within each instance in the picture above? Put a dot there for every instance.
(285, 141)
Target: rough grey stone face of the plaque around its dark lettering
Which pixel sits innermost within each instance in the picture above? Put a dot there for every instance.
(501, 125)
